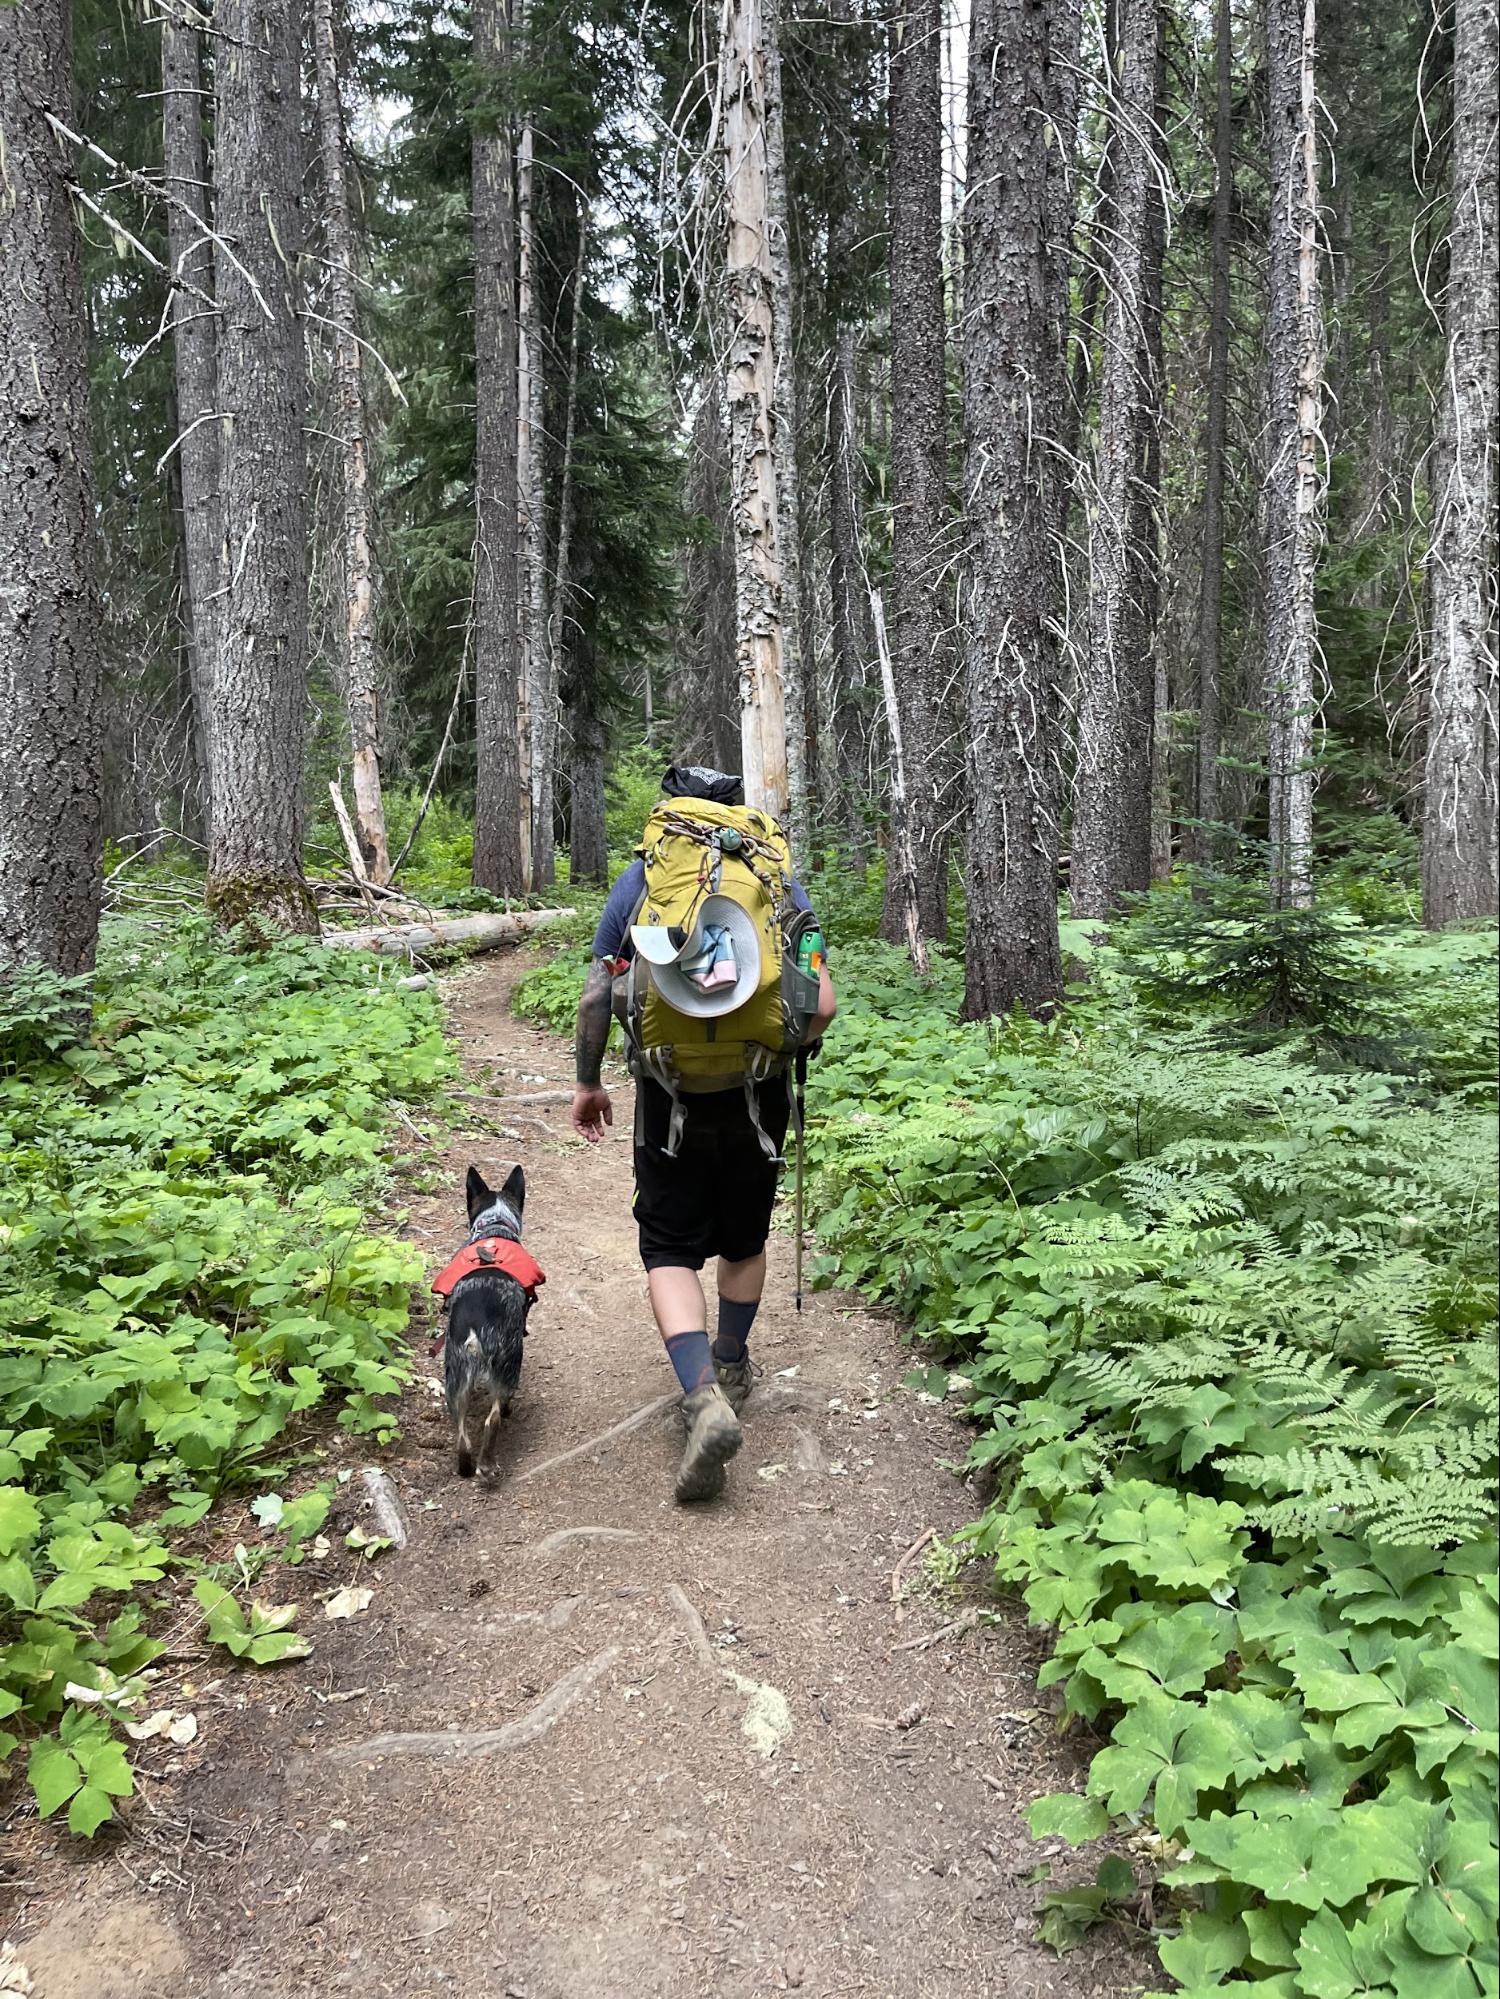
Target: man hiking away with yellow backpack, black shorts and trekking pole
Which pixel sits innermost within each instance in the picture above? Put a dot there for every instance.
(713, 961)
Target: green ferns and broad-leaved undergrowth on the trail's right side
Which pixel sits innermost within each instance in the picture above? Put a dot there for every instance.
(1215, 1256)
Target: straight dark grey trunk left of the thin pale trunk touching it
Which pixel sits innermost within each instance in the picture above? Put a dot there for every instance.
(499, 861)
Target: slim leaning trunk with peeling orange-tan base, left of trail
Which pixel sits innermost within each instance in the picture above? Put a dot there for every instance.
(359, 631)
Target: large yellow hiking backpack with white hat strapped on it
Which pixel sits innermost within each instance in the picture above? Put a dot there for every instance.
(729, 867)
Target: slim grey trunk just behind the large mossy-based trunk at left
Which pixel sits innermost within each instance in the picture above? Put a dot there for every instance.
(195, 355)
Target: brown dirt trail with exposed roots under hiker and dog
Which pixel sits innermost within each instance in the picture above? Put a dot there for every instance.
(735, 1748)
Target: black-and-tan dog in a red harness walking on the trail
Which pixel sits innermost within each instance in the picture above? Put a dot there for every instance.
(489, 1290)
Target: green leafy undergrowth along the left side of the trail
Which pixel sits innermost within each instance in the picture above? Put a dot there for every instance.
(187, 1272)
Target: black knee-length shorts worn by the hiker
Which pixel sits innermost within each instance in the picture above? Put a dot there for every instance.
(719, 1192)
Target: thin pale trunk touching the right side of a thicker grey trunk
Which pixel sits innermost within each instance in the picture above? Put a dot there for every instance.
(531, 487)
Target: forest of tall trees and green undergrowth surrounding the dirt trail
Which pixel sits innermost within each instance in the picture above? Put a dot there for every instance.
(1051, 451)
